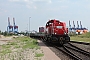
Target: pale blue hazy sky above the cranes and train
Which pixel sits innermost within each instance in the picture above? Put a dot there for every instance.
(41, 11)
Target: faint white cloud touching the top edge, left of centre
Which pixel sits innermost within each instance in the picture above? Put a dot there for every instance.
(32, 3)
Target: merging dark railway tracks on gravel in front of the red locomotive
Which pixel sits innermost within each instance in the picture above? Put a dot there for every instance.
(74, 52)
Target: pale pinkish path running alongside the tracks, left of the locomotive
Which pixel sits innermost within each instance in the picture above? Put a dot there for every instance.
(48, 54)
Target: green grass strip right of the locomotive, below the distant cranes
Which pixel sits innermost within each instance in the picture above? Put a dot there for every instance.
(82, 38)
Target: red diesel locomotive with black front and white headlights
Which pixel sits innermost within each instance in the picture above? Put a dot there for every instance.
(56, 31)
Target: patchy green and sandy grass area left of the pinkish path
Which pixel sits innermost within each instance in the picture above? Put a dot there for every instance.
(18, 46)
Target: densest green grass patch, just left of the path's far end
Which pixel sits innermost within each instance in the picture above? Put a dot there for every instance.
(28, 42)
